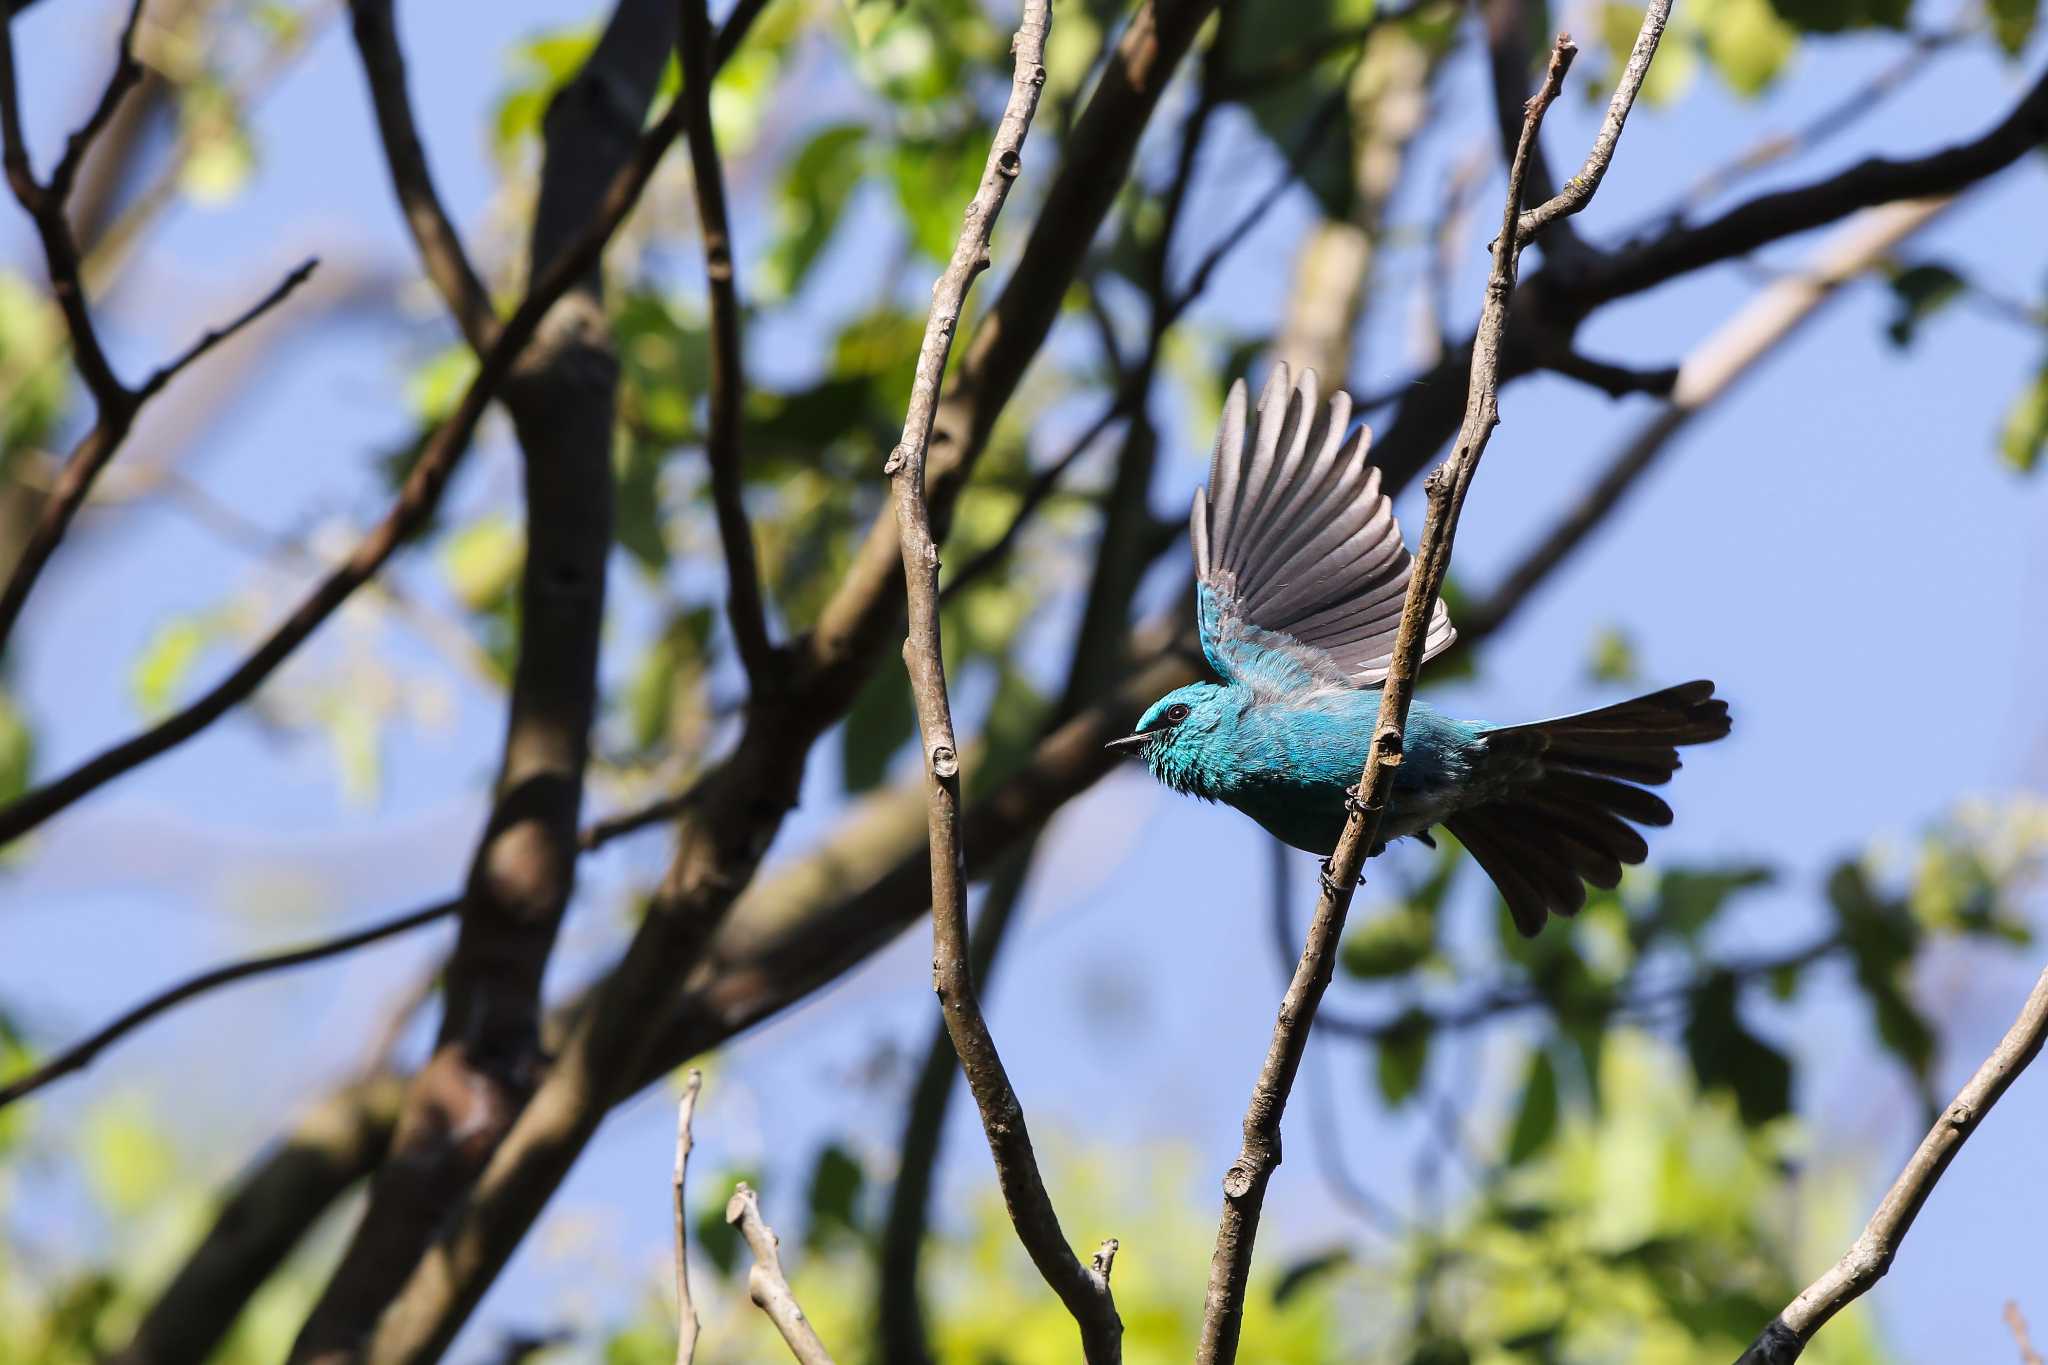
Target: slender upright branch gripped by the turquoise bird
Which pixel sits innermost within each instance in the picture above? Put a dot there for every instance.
(1244, 1184)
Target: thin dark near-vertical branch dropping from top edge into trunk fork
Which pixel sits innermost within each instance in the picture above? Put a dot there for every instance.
(722, 443)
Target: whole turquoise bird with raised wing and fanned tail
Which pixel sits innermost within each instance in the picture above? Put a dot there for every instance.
(1304, 576)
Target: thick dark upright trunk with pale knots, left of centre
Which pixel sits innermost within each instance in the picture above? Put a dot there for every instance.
(562, 396)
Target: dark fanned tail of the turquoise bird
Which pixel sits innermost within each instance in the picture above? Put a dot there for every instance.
(1572, 822)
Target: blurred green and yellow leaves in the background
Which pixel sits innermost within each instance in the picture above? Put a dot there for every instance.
(1648, 1192)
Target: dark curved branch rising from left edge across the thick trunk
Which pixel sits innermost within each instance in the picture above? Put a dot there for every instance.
(409, 515)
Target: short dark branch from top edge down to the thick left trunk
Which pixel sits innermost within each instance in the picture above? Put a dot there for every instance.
(433, 232)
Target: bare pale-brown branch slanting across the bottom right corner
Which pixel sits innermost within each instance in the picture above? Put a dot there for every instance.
(1865, 1264)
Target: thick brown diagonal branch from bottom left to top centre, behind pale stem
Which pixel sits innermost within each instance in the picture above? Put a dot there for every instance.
(744, 799)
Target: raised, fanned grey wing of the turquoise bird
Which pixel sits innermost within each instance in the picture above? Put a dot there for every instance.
(1297, 552)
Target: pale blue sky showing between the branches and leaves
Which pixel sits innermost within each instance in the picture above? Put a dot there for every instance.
(1834, 545)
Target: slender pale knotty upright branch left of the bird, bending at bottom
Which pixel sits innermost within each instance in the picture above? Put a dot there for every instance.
(1082, 1290)
